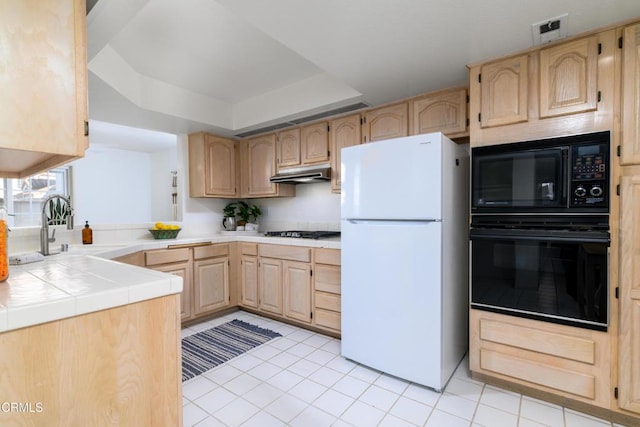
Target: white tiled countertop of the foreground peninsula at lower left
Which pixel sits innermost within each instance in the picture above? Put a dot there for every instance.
(69, 285)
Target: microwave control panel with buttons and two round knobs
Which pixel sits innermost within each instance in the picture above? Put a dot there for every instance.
(589, 175)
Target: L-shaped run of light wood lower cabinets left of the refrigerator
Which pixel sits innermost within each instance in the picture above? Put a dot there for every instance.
(296, 283)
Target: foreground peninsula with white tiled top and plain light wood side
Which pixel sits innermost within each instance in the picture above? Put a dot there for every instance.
(90, 341)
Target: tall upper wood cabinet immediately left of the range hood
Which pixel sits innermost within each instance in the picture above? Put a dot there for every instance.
(258, 157)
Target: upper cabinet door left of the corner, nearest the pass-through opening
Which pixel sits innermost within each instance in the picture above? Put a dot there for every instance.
(220, 166)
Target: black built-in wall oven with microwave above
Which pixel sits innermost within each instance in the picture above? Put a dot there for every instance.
(540, 229)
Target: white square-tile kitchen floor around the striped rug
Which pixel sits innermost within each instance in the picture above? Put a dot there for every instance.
(300, 379)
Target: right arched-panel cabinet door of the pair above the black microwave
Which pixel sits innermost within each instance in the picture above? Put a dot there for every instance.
(568, 78)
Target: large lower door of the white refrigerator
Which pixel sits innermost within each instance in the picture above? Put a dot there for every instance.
(391, 298)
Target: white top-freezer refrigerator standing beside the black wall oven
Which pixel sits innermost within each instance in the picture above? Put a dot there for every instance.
(404, 226)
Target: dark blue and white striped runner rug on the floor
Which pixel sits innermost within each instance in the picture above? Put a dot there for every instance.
(208, 349)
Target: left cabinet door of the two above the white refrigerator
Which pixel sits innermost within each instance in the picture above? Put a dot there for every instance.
(386, 122)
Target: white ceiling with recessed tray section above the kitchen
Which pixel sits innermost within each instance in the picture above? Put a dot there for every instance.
(230, 66)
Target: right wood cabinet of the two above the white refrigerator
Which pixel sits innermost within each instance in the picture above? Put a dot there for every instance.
(443, 111)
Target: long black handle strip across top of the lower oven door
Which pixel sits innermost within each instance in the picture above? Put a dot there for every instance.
(546, 235)
